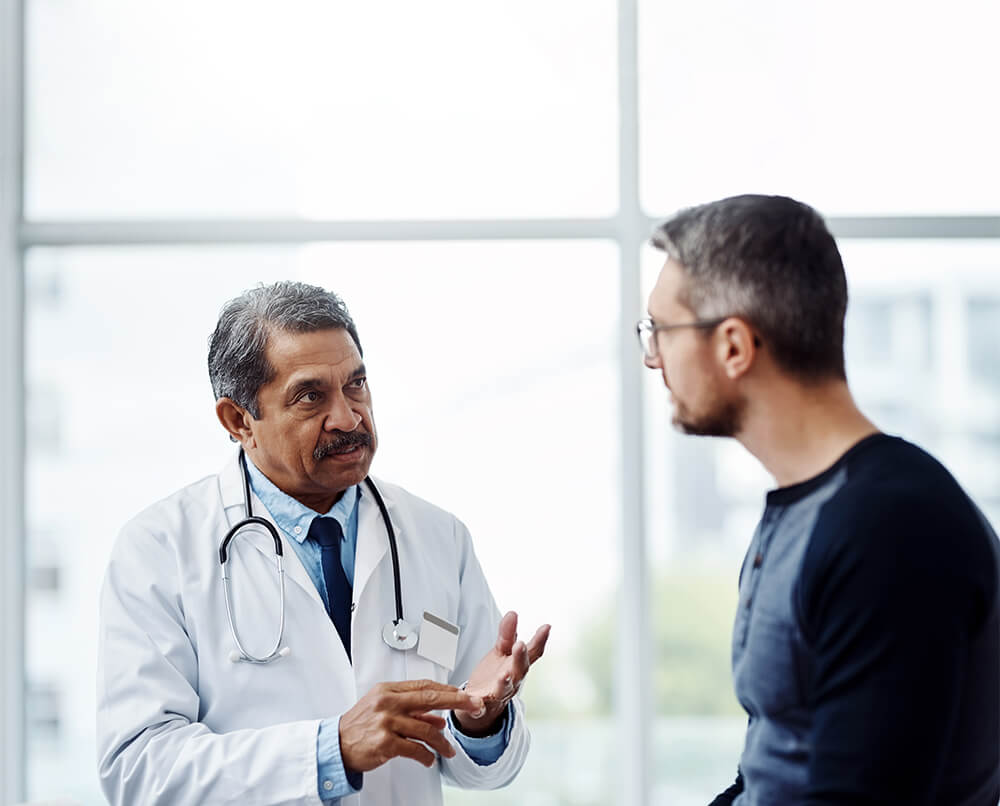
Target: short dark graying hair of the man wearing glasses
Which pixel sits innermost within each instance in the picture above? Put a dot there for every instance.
(772, 261)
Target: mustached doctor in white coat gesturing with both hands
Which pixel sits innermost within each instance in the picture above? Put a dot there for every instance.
(334, 714)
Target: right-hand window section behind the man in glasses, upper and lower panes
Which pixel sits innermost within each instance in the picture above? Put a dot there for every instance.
(844, 106)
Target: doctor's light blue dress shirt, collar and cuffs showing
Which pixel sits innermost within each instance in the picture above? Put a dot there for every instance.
(294, 519)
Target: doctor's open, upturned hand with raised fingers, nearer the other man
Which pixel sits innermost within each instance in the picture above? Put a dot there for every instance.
(499, 675)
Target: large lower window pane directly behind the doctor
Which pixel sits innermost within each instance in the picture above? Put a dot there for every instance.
(487, 403)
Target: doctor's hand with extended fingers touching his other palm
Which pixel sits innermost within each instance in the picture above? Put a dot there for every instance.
(393, 719)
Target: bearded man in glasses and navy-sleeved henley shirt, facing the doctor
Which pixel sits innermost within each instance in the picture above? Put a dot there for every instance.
(866, 644)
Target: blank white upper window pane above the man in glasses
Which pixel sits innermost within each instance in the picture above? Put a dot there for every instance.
(854, 107)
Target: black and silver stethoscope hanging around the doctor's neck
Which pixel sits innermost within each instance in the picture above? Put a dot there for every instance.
(397, 634)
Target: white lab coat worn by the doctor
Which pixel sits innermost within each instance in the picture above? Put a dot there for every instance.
(179, 723)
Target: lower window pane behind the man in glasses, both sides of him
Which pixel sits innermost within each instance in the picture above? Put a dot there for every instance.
(921, 325)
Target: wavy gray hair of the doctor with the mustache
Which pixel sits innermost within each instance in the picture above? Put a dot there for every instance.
(237, 349)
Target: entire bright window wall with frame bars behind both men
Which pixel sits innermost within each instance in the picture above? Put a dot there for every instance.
(478, 183)
